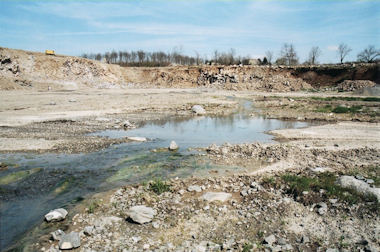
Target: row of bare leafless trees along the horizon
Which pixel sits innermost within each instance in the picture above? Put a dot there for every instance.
(287, 56)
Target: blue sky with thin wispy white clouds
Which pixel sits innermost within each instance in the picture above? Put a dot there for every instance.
(251, 27)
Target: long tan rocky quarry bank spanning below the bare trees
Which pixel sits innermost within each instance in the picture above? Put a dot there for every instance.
(37, 71)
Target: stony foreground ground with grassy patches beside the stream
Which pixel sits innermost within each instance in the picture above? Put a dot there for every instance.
(302, 209)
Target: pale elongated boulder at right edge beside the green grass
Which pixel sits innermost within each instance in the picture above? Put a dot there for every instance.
(360, 186)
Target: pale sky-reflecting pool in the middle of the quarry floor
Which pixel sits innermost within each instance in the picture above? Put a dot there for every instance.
(202, 131)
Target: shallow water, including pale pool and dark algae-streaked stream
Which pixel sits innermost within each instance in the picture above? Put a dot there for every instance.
(33, 184)
